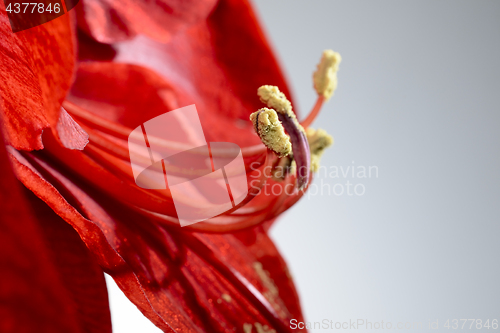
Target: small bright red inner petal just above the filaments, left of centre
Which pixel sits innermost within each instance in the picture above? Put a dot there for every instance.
(124, 94)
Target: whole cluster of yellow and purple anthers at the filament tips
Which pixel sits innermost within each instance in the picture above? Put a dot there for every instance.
(272, 122)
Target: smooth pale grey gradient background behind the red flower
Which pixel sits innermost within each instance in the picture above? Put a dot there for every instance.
(418, 97)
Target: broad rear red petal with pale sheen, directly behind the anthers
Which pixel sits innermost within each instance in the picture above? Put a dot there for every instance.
(218, 64)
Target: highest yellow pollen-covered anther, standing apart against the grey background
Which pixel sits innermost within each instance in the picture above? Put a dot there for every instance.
(325, 77)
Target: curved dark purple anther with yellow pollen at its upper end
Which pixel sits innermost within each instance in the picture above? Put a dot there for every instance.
(276, 100)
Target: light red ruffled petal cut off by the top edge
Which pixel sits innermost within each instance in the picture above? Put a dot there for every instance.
(109, 21)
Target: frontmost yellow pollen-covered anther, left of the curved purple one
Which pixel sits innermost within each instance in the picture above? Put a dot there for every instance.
(271, 131)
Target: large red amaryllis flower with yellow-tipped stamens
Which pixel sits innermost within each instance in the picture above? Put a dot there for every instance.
(66, 116)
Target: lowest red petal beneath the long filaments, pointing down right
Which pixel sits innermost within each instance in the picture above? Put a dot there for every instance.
(180, 280)
